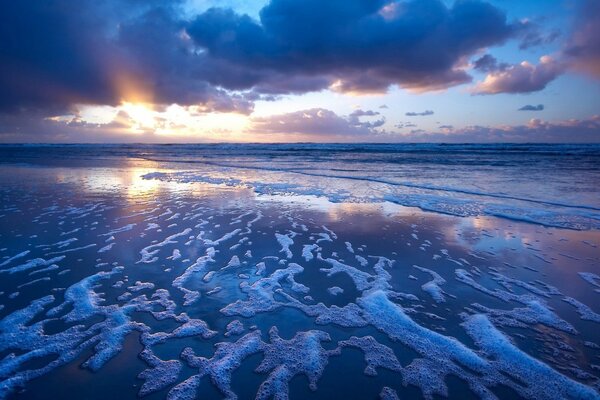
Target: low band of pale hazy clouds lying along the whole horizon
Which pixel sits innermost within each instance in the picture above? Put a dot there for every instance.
(315, 125)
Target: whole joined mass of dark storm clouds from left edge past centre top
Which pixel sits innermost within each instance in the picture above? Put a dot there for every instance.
(55, 54)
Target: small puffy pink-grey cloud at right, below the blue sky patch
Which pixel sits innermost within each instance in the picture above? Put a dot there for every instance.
(521, 78)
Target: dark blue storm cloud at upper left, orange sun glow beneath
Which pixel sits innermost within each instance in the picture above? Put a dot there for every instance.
(56, 54)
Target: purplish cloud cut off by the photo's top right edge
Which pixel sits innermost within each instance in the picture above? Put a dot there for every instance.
(583, 46)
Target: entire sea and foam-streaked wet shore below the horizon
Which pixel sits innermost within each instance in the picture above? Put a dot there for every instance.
(427, 270)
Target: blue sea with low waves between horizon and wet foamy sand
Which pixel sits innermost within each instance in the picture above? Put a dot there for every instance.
(554, 185)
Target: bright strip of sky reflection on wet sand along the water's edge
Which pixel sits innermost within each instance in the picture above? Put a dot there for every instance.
(472, 233)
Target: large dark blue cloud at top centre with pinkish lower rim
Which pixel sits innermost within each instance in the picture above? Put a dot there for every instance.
(363, 45)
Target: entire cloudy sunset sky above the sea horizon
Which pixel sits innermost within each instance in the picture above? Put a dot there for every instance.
(187, 71)
